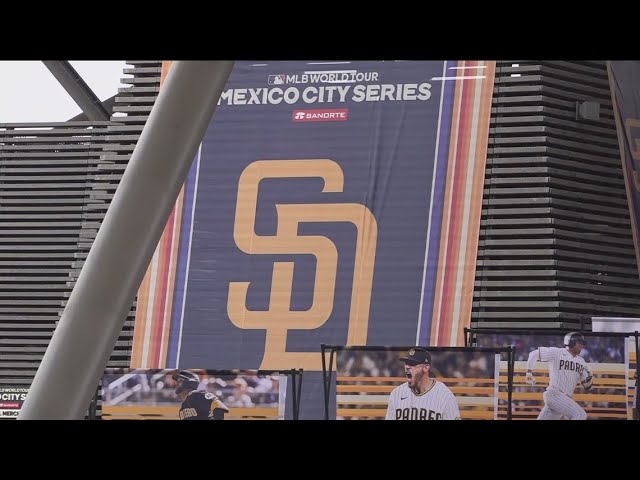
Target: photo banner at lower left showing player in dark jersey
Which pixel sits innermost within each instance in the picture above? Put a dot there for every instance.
(130, 394)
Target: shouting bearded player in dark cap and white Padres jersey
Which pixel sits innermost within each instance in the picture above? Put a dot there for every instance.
(421, 397)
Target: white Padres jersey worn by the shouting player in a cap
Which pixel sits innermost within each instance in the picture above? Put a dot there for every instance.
(437, 403)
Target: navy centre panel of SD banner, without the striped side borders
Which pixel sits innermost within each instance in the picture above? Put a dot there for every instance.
(289, 194)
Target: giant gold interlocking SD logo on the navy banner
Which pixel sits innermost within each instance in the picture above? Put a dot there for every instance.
(279, 317)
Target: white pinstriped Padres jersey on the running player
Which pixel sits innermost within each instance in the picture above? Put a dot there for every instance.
(565, 370)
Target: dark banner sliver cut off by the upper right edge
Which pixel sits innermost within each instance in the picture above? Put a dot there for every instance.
(624, 81)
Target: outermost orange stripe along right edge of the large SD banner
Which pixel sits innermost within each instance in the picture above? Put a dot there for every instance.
(480, 158)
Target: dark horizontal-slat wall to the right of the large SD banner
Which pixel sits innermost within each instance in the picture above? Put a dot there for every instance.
(555, 239)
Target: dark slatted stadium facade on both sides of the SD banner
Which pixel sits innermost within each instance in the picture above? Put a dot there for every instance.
(555, 245)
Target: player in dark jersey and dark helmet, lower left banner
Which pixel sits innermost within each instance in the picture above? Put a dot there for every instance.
(197, 404)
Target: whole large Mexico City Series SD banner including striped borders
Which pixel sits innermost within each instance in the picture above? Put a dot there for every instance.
(330, 202)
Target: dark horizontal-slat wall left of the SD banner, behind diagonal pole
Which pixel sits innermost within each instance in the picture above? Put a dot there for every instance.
(56, 183)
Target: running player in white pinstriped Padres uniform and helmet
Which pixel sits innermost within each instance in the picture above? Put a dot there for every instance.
(566, 368)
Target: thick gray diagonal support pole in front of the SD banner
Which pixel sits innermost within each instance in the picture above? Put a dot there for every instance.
(92, 320)
